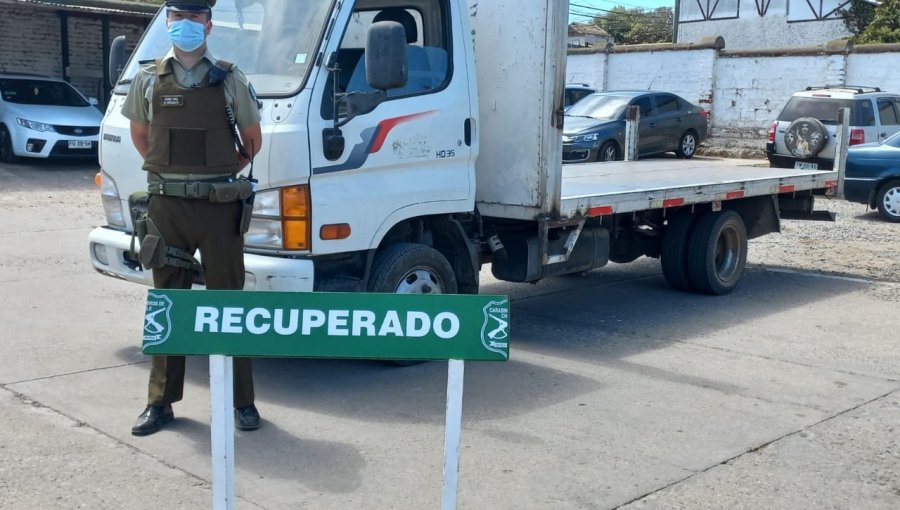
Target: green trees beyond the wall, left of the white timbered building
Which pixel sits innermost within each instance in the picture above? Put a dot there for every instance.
(637, 26)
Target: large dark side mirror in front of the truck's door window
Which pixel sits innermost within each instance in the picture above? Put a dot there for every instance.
(386, 57)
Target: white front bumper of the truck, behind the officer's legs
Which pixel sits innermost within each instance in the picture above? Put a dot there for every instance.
(110, 254)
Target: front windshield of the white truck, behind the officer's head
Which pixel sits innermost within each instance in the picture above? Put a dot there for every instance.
(272, 41)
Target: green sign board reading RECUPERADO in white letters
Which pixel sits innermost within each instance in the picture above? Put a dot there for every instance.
(326, 325)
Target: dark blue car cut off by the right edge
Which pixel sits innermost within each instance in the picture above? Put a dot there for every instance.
(873, 176)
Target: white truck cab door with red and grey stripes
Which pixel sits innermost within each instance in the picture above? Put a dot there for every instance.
(413, 154)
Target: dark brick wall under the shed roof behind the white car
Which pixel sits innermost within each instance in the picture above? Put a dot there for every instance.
(30, 42)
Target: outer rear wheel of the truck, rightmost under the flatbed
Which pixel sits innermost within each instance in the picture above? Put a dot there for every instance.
(717, 252)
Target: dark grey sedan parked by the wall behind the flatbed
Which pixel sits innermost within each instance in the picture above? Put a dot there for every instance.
(594, 128)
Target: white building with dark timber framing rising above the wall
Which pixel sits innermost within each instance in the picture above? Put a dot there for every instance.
(783, 24)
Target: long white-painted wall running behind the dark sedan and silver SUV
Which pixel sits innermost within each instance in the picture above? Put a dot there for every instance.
(744, 91)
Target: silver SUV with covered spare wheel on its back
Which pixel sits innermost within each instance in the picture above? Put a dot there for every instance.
(803, 136)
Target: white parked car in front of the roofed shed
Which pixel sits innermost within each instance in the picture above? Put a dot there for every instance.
(44, 117)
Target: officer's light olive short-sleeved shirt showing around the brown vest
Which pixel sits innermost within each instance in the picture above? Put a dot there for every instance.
(138, 104)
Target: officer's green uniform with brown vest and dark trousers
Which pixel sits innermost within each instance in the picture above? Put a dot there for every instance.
(190, 140)
